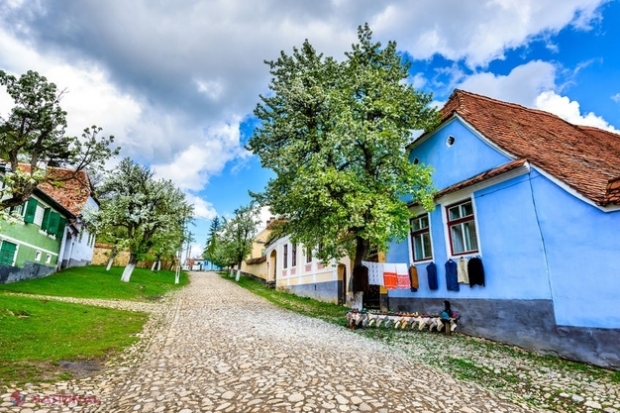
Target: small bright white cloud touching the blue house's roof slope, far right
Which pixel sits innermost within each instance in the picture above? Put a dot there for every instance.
(570, 111)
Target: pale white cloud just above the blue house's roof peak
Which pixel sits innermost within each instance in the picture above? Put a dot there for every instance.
(522, 85)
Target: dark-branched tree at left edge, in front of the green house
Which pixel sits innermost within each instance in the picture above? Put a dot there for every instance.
(34, 133)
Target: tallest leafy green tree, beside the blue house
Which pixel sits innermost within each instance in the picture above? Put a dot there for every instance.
(335, 134)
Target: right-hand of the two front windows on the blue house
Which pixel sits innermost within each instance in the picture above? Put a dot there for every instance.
(462, 228)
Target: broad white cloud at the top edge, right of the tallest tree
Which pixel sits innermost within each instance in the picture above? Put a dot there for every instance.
(478, 32)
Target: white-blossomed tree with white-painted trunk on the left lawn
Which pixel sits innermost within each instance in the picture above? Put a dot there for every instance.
(137, 211)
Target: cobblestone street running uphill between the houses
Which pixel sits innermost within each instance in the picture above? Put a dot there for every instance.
(215, 347)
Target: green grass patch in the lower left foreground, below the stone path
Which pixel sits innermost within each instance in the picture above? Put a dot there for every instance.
(36, 335)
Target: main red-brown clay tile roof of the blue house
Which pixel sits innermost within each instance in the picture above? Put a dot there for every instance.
(586, 159)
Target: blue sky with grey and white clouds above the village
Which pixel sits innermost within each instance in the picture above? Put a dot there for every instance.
(176, 81)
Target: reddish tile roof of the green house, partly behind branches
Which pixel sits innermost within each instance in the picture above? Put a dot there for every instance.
(70, 193)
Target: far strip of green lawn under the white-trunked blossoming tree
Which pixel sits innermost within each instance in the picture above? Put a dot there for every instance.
(96, 282)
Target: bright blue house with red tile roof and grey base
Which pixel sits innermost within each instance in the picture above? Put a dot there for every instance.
(536, 200)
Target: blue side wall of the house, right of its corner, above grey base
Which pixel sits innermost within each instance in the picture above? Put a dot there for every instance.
(583, 250)
